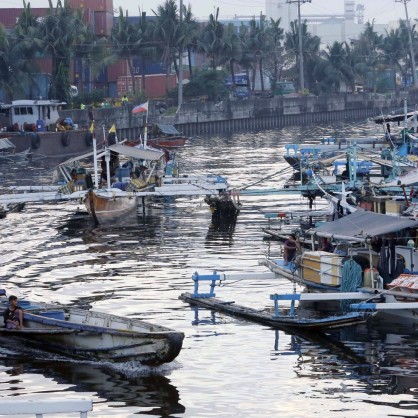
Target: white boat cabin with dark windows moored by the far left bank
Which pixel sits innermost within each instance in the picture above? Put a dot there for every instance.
(30, 115)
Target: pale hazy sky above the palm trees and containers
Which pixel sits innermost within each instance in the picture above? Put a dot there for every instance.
(381, 10)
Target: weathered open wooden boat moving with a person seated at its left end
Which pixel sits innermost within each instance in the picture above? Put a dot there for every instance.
(99, 336)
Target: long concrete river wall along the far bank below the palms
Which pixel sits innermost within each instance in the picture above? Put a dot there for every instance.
(229, 116)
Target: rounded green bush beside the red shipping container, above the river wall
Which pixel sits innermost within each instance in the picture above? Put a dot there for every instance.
(208, 83)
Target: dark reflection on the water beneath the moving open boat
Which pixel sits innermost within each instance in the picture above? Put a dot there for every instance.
(147, 392)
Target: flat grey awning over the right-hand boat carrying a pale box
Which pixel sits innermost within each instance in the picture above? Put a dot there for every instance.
(362, 225)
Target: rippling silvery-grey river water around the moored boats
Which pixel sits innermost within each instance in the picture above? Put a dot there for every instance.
(227, 367)
